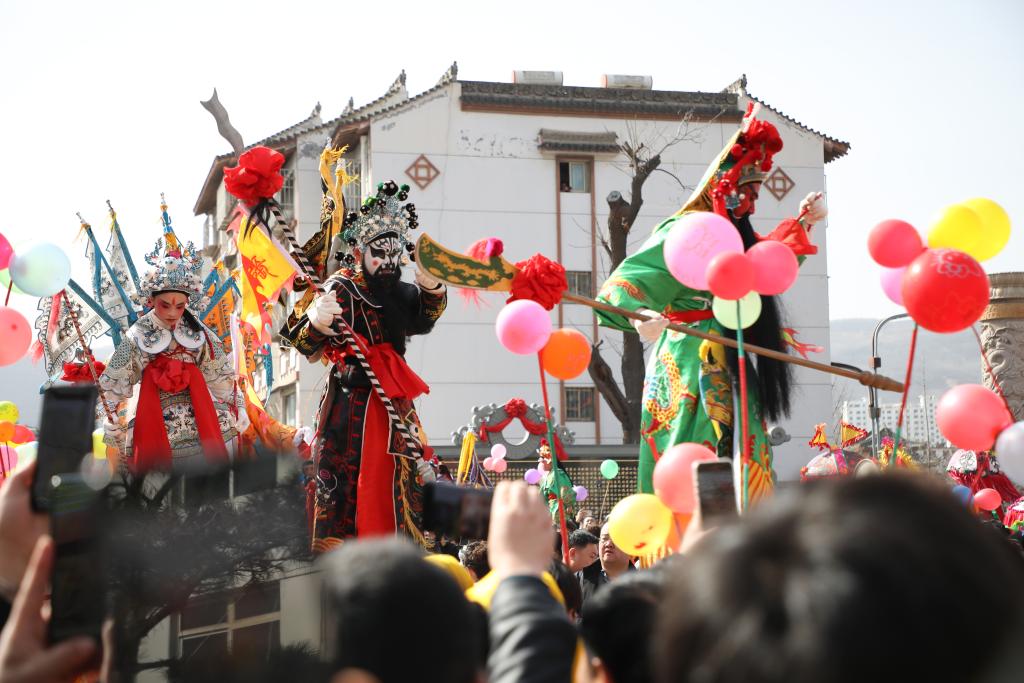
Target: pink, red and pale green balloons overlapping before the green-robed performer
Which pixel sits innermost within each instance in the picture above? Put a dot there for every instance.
(704, 251)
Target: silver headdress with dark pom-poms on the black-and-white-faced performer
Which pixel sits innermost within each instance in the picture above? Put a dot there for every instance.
(386, 214)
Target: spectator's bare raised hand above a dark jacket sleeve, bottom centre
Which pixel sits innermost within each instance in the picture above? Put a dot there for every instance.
(520, 538)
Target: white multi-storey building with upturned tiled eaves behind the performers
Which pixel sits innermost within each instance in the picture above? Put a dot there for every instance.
(533, 163)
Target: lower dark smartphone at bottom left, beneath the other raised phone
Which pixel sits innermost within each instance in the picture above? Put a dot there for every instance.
(78, 593)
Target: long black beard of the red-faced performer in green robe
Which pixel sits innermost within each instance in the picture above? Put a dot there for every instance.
(774, 379)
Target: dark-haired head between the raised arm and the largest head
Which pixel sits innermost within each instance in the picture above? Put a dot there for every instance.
(617, 628)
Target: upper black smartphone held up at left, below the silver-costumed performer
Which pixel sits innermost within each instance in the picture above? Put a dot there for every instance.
(65, 439)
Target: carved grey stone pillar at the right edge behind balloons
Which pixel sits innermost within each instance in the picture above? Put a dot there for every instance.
(1003, 338)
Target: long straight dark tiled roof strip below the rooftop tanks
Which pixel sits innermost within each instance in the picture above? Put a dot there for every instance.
(599, 102)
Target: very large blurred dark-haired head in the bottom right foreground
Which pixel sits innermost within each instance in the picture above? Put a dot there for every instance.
(777, 597)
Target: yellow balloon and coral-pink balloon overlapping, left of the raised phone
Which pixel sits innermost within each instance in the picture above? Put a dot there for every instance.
(643, 524)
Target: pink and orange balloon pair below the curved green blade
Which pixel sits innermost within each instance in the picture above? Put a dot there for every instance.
(524, 327)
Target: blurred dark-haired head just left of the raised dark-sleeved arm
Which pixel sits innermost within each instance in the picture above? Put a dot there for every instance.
(388, 602)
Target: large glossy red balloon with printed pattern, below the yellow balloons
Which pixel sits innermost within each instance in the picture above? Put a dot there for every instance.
(946, 290)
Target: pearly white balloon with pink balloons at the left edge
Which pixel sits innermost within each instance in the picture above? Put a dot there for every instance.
(41, 270)
